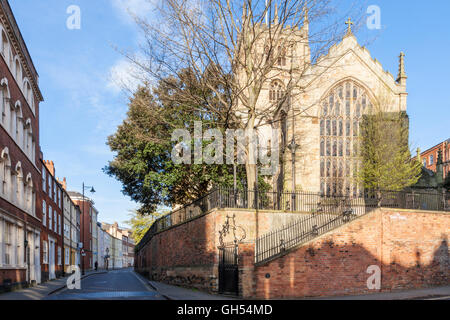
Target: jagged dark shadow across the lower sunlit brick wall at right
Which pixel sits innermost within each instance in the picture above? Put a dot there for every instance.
(343, 269)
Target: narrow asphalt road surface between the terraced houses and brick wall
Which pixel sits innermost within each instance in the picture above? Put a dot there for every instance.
(112, 285)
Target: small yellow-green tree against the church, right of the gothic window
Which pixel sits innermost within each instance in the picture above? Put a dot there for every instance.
(386, 163)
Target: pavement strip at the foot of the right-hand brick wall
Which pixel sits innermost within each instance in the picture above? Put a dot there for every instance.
(436, 293)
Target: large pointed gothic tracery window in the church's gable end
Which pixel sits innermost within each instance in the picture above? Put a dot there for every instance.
(341, 115)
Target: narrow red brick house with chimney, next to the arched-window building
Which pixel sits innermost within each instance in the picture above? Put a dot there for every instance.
(52, 222)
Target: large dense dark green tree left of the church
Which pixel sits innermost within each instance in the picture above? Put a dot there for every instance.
(143, 145)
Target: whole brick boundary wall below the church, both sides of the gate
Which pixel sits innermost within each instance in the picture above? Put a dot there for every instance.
(410, 248)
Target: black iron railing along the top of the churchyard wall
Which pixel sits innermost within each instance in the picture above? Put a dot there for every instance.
(305, 202)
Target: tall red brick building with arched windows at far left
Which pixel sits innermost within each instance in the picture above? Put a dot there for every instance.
(20, 168)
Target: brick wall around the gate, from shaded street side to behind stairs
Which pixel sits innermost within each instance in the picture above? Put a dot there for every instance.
(188, 254)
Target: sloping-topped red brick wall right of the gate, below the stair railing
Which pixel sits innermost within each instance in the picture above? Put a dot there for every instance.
(410, 248)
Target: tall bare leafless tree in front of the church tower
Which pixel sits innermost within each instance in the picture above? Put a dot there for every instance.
(243, 47)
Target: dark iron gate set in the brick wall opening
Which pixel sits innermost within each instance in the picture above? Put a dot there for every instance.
(228, 270)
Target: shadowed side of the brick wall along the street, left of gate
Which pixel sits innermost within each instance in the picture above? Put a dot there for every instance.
(184, 255)
